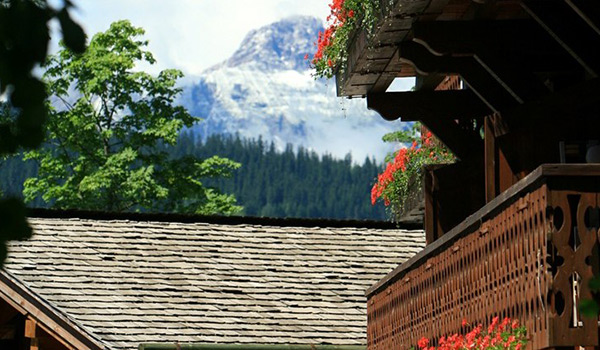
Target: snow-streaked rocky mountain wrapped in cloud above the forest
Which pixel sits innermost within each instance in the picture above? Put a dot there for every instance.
(266, 89)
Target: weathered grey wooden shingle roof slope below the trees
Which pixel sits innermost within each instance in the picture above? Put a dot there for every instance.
(127, 282)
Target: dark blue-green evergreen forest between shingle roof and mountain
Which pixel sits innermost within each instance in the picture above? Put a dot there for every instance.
(290, 183)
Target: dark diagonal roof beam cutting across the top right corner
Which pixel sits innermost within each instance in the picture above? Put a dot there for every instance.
(570, 31)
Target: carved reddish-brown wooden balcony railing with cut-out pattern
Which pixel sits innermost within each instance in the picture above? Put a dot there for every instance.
(528, 254)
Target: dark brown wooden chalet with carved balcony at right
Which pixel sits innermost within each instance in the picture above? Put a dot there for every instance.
(512, 88)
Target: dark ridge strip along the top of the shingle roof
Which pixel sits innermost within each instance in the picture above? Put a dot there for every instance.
(223, 220)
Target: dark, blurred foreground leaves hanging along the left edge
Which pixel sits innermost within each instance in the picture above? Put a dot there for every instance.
(24, 37)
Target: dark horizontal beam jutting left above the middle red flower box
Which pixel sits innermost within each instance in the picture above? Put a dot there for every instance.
(417, 105)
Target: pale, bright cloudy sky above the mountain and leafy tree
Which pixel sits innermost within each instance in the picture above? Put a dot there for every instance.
(192, 35)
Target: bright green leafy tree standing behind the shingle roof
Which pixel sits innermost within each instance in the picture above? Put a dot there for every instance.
(108, 147)
